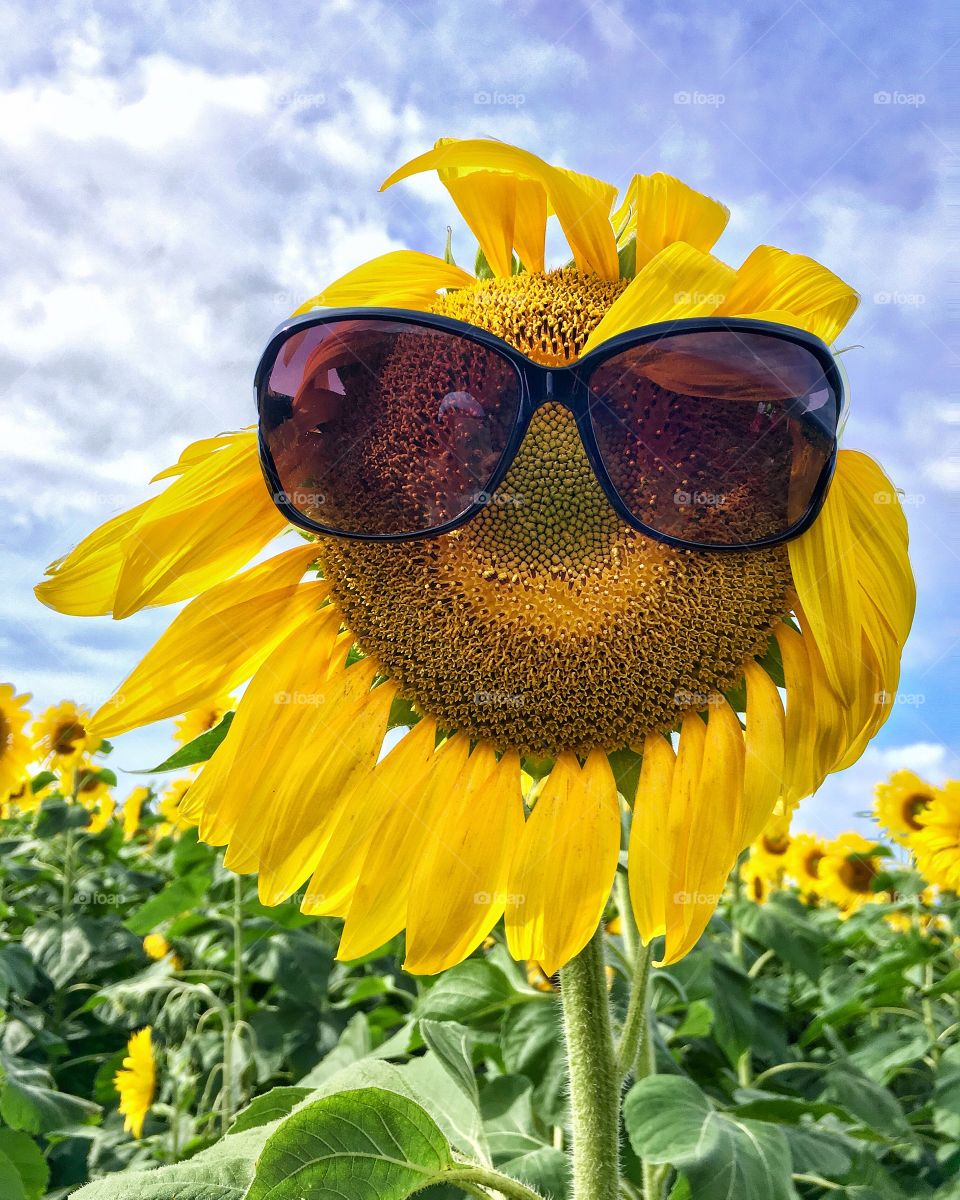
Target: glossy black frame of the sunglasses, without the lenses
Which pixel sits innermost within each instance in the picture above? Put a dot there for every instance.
(541, 386)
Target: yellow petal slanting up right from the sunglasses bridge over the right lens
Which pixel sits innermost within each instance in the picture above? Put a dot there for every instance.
(680, 281)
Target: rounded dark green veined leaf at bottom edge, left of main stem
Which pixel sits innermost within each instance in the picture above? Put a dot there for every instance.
(351, 1144)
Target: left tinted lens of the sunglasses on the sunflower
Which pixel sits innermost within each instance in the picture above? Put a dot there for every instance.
(387, 428)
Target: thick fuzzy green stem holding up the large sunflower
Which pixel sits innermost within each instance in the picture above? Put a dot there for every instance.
(595, 1082)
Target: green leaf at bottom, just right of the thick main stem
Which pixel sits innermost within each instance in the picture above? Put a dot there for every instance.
(669, 1120)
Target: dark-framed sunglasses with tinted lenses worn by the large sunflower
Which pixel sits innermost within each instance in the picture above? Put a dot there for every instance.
(706, 434)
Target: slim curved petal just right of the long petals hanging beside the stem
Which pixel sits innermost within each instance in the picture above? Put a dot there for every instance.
(764, 771)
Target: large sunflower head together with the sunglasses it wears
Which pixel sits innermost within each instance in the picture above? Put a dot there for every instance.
(507, 602)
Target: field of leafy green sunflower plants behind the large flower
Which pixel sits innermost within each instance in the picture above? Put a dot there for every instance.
(167, 1036)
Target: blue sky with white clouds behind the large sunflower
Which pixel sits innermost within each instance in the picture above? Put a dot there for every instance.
(177, 178)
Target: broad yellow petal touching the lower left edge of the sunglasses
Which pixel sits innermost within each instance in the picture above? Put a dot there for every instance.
(208, 524)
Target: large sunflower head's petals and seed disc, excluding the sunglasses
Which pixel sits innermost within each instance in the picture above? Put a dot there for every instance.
(543, 637)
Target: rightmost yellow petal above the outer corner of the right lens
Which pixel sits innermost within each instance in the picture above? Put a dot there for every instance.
(772, 279)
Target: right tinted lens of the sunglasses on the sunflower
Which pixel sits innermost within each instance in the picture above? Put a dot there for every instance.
(721, 437)
